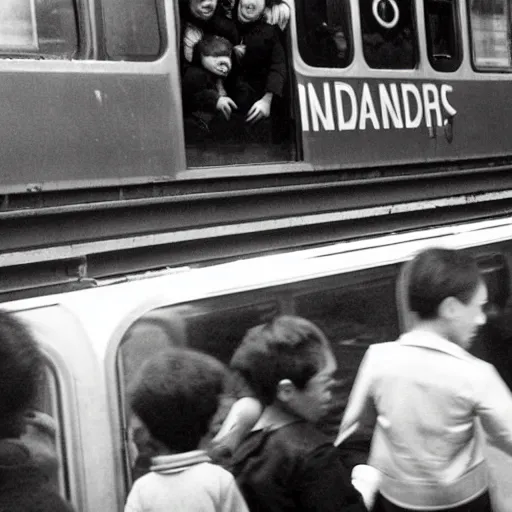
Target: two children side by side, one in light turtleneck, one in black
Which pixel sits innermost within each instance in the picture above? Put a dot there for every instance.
(268, 455)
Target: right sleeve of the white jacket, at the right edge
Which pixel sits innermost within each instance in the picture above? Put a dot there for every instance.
(494, 408)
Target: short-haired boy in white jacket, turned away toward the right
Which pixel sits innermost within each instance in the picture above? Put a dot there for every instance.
(424, 393)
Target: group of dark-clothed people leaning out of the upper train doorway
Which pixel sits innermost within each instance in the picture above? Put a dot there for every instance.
(233, 64)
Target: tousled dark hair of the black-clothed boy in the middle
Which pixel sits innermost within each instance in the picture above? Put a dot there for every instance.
(289, 347)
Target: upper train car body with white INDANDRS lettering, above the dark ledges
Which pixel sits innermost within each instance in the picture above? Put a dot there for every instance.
(92, 92)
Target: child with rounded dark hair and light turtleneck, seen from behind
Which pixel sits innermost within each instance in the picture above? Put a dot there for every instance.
(174, 398)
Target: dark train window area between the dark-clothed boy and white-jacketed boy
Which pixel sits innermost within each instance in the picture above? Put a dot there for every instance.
(353, 315)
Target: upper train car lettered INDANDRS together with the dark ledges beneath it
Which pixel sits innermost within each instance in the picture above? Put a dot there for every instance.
(394, 115)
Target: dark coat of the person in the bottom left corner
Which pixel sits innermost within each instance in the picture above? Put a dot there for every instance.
(23, 487)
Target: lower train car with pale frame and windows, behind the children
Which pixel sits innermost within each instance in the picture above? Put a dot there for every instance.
(93, 339)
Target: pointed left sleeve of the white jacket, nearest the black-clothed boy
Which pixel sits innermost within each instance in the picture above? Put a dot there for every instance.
(360, 410)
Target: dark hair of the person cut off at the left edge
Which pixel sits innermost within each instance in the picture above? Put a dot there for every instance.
(21, 365)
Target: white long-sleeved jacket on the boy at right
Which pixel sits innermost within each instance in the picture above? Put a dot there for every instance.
(424, 394)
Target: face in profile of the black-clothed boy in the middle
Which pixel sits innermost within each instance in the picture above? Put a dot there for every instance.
(314, 401)
